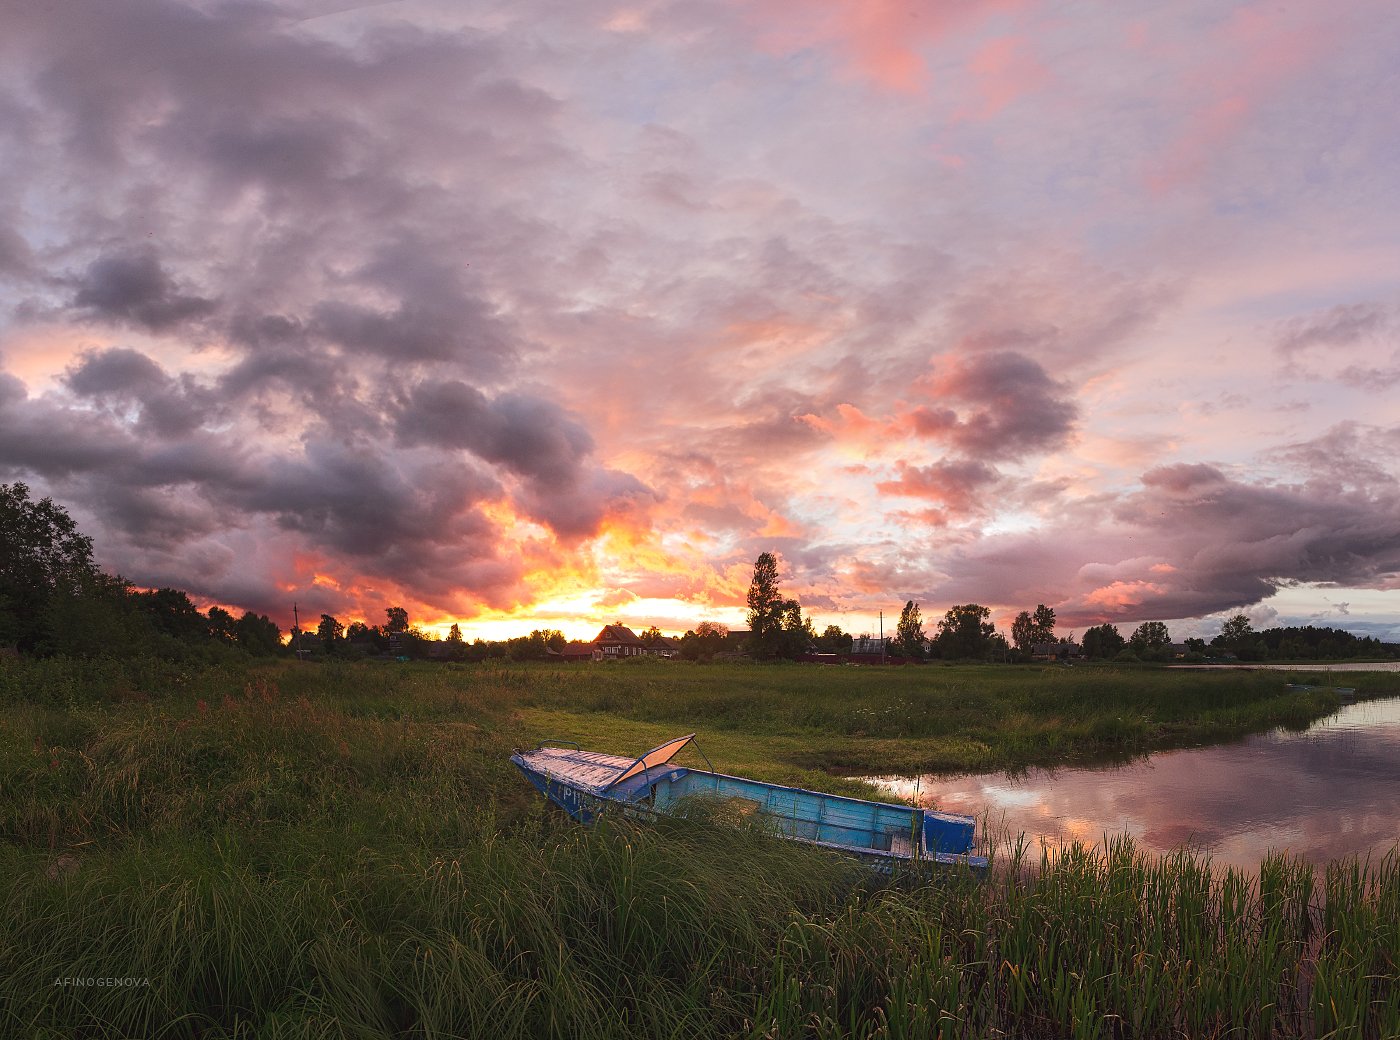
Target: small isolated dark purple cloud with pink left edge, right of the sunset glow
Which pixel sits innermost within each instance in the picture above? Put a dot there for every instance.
(1009, 408)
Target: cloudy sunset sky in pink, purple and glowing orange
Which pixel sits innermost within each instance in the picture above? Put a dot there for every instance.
(544, 314)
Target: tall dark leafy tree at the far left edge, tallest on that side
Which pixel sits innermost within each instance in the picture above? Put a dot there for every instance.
(41, 554)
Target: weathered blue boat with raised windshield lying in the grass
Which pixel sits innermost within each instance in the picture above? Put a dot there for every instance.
(589, 785)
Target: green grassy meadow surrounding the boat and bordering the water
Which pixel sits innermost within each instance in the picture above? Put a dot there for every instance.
(346, 852)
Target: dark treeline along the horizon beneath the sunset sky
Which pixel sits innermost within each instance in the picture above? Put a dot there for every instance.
(57, 603)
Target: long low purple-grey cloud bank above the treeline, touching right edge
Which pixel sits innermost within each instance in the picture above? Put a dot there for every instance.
(1192, 542)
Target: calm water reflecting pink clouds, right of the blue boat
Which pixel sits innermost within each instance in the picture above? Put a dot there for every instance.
(1322, 794)
